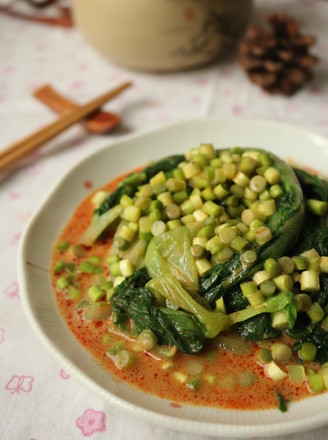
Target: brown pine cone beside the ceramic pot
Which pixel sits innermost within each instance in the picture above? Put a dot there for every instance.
(277, 60)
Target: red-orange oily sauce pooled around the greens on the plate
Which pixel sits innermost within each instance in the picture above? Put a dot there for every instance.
(223, 374)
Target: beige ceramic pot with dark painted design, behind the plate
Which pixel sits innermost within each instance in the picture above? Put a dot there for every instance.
(161, 34)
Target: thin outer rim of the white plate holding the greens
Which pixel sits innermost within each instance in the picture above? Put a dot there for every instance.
(163, 420)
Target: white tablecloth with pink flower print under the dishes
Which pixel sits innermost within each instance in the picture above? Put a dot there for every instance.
(38, 399)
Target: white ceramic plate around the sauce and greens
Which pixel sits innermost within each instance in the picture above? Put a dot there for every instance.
(53, 213)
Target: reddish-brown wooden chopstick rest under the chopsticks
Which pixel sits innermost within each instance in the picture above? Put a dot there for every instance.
(99, 122)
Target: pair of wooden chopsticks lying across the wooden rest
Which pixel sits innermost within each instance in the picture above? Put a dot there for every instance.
(13, 154)
